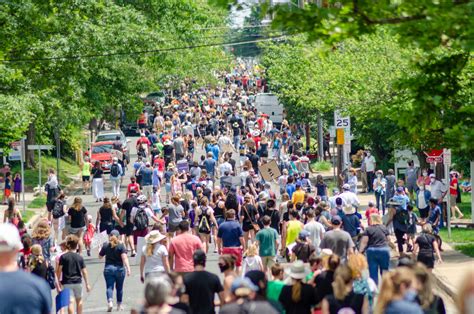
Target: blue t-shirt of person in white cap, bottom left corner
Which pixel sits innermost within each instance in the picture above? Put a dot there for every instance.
(31, 294)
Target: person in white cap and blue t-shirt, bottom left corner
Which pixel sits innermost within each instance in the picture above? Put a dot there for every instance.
(20, 291)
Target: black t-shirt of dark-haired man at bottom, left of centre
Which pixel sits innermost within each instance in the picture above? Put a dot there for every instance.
(201, 286)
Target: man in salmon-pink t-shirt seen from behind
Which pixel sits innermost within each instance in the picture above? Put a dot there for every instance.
(182, 248)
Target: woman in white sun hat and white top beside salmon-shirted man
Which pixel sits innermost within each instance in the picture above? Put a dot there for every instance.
(154, 255)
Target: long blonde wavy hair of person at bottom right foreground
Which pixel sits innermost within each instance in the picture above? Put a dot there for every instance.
(391, 286)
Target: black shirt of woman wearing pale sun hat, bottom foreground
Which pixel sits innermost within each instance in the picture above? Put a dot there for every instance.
(303, 306)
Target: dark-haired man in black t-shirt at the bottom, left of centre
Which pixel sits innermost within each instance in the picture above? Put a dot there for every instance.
(202, 286)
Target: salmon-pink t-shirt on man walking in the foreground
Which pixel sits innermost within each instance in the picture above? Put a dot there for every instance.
(183, 247)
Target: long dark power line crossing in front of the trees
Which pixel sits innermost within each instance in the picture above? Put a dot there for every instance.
(78, 57)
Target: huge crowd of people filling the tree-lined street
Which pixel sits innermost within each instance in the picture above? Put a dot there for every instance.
(284, 246)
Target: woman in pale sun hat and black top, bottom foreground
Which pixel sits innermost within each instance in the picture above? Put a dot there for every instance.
(297, 298)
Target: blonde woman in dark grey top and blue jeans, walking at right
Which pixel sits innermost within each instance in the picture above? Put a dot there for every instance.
(375, 243)
